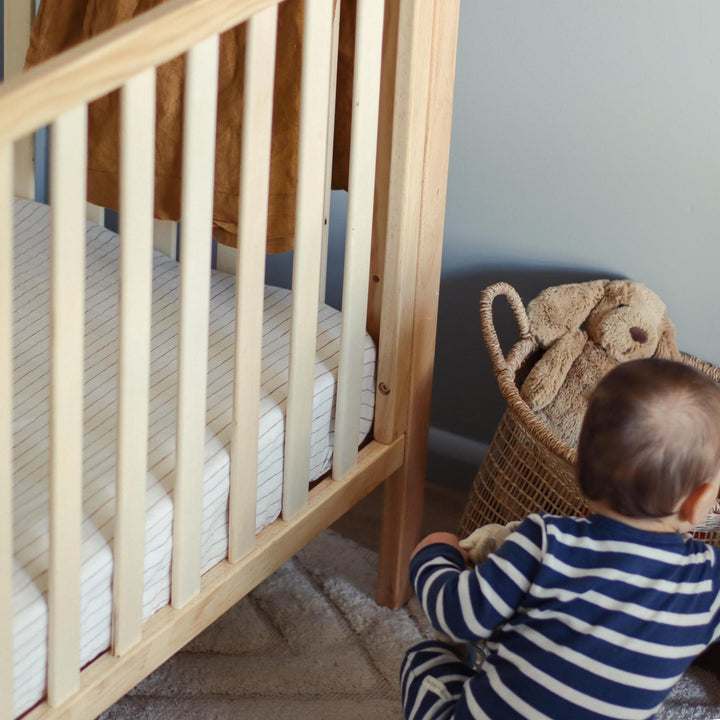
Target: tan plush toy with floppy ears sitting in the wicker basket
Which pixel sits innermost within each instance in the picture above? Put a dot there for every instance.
(587, 329)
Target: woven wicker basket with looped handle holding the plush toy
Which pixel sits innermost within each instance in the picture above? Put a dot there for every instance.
(527, 467)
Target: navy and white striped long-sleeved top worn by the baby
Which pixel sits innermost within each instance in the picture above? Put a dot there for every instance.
(585, 617)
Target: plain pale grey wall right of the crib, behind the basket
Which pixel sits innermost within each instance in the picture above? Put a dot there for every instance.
(585, 144)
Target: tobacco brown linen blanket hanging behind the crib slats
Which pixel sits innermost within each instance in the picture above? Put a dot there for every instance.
(60, 24)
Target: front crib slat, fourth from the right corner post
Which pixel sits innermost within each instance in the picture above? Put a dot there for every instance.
(197, 204)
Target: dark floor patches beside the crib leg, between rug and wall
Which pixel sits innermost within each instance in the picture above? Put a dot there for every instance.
(443, 509)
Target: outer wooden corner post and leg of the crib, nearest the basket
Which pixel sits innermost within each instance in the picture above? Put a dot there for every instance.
(404, 490)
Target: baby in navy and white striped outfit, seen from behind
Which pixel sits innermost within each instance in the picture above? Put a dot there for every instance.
(587, 617)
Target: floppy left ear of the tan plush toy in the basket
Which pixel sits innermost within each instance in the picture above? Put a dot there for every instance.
(563, 308)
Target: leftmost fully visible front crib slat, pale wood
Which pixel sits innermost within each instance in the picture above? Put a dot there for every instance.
(67, 188)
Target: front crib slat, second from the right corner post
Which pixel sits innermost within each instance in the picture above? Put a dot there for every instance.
(308, 236)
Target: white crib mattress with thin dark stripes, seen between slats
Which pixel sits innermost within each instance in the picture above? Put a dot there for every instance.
(31, 432)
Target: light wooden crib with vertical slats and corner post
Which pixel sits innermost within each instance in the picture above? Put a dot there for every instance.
(403, 83)
